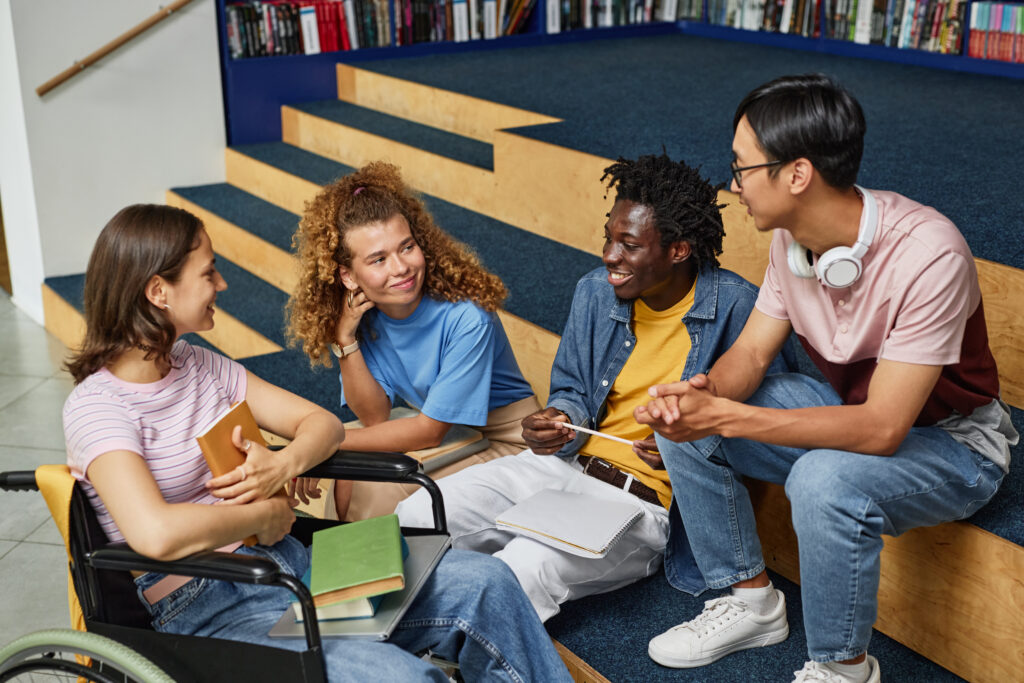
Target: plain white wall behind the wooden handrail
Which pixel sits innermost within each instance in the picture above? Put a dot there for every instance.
(145, 119)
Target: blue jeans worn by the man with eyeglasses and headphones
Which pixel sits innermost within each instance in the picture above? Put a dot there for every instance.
(842, 504)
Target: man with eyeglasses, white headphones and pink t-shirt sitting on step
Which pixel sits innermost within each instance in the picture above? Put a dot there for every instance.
(909, 432)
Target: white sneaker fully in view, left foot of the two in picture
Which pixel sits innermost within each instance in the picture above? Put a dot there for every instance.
(727, 625)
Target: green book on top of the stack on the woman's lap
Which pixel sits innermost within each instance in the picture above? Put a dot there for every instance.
(357, 561)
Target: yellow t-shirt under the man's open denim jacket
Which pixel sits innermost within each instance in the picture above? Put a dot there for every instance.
(659, 357)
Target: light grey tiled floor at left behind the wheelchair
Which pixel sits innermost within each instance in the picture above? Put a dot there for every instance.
(33, 584)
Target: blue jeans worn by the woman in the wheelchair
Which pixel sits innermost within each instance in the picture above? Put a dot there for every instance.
(472, 611)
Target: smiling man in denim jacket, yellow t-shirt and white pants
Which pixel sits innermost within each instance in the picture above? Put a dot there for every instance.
(660, 310)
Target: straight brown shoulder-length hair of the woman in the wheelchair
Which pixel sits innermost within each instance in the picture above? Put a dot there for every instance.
(142, 241)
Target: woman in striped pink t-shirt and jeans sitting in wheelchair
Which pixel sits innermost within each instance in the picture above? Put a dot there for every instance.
(144, 395)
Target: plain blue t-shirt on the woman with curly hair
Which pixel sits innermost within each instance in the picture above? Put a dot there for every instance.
(450, 361)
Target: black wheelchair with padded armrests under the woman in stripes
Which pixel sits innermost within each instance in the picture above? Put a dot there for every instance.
(119, 644)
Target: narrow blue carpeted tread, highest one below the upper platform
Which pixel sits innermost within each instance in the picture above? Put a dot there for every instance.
(442, 143)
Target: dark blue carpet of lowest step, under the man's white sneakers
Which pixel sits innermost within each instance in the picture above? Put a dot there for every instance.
(651, 607)
